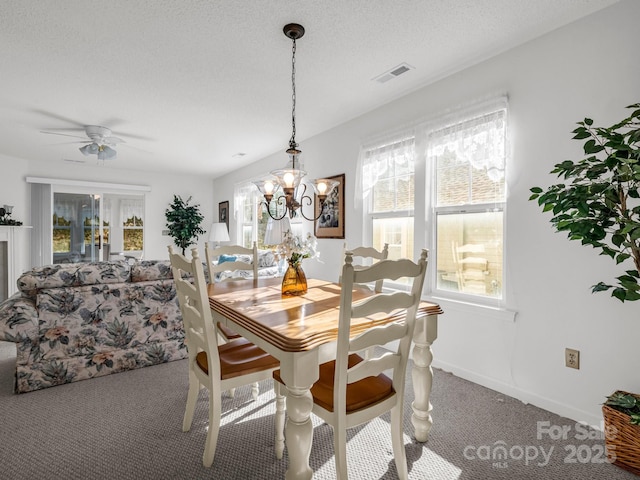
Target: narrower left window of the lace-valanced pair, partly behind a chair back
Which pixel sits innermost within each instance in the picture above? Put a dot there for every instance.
(388, 182)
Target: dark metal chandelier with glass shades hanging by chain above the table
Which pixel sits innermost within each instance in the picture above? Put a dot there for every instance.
(285, 184)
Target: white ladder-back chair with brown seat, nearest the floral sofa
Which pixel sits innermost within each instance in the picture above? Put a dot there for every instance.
(214, 367)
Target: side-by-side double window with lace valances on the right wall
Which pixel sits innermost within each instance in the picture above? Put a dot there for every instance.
(464, 160)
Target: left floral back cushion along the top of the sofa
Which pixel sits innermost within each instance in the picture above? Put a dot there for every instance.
(72, 275)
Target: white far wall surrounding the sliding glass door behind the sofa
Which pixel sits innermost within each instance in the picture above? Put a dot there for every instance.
(15, 191)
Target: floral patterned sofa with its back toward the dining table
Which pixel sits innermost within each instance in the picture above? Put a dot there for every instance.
(77, 321)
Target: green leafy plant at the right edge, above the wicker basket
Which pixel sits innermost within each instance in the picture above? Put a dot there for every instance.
(600, 203)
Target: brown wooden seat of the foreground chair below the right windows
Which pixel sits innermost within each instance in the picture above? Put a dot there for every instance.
(360, 394)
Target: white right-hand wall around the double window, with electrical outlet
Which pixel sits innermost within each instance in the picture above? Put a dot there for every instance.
(590, 68)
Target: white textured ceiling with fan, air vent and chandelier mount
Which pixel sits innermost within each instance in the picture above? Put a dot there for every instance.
(188, 84)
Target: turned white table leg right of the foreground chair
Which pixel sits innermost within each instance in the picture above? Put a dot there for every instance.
(425, 334)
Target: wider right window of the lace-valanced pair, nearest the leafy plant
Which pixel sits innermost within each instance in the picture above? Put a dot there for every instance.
(467, 164)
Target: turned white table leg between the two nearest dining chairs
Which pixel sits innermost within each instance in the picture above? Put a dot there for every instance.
(299, 433)
